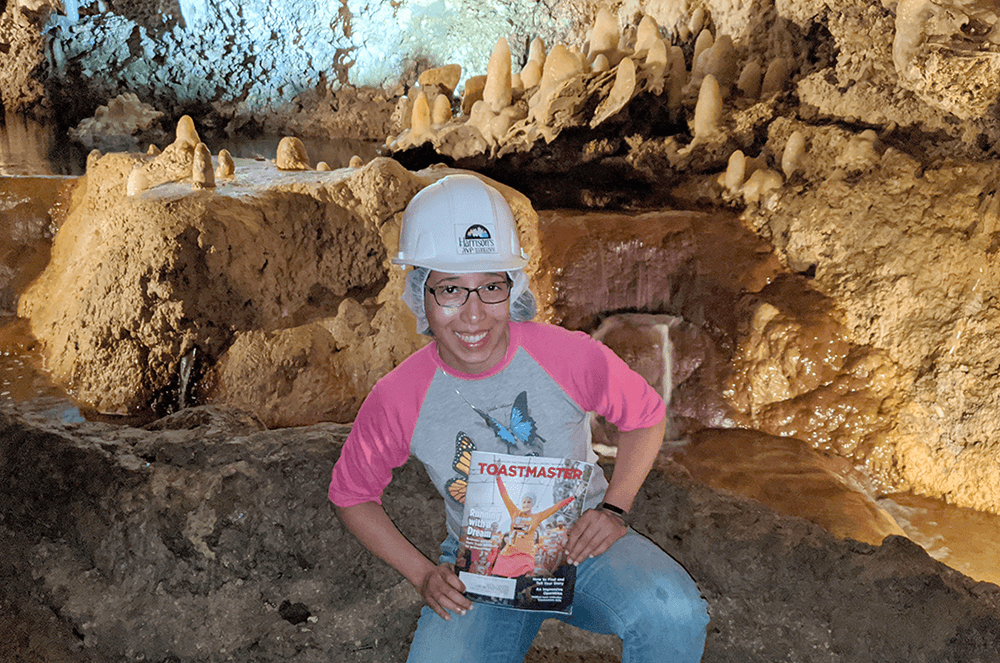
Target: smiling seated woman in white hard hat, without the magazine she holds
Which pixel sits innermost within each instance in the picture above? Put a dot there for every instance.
(494, 381)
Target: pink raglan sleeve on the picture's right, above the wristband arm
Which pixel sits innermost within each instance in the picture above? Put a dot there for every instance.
(595, 377)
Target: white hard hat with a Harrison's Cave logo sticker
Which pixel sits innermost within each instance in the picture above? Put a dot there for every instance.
(460, 225)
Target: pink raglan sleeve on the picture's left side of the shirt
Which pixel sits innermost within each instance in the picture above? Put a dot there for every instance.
(379, 440)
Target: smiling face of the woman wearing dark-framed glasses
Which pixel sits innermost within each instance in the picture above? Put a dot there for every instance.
(473, 337)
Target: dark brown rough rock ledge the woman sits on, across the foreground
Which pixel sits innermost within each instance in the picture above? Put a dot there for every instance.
(217, 542)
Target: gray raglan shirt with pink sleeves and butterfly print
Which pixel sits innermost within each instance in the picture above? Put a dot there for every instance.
(537, 400)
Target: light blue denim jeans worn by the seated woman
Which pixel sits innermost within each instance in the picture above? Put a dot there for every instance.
(634, 590)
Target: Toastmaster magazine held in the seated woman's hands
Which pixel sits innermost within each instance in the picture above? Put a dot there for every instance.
(518, 511)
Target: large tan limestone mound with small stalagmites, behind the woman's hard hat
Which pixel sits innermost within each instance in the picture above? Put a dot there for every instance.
(278, 283)
